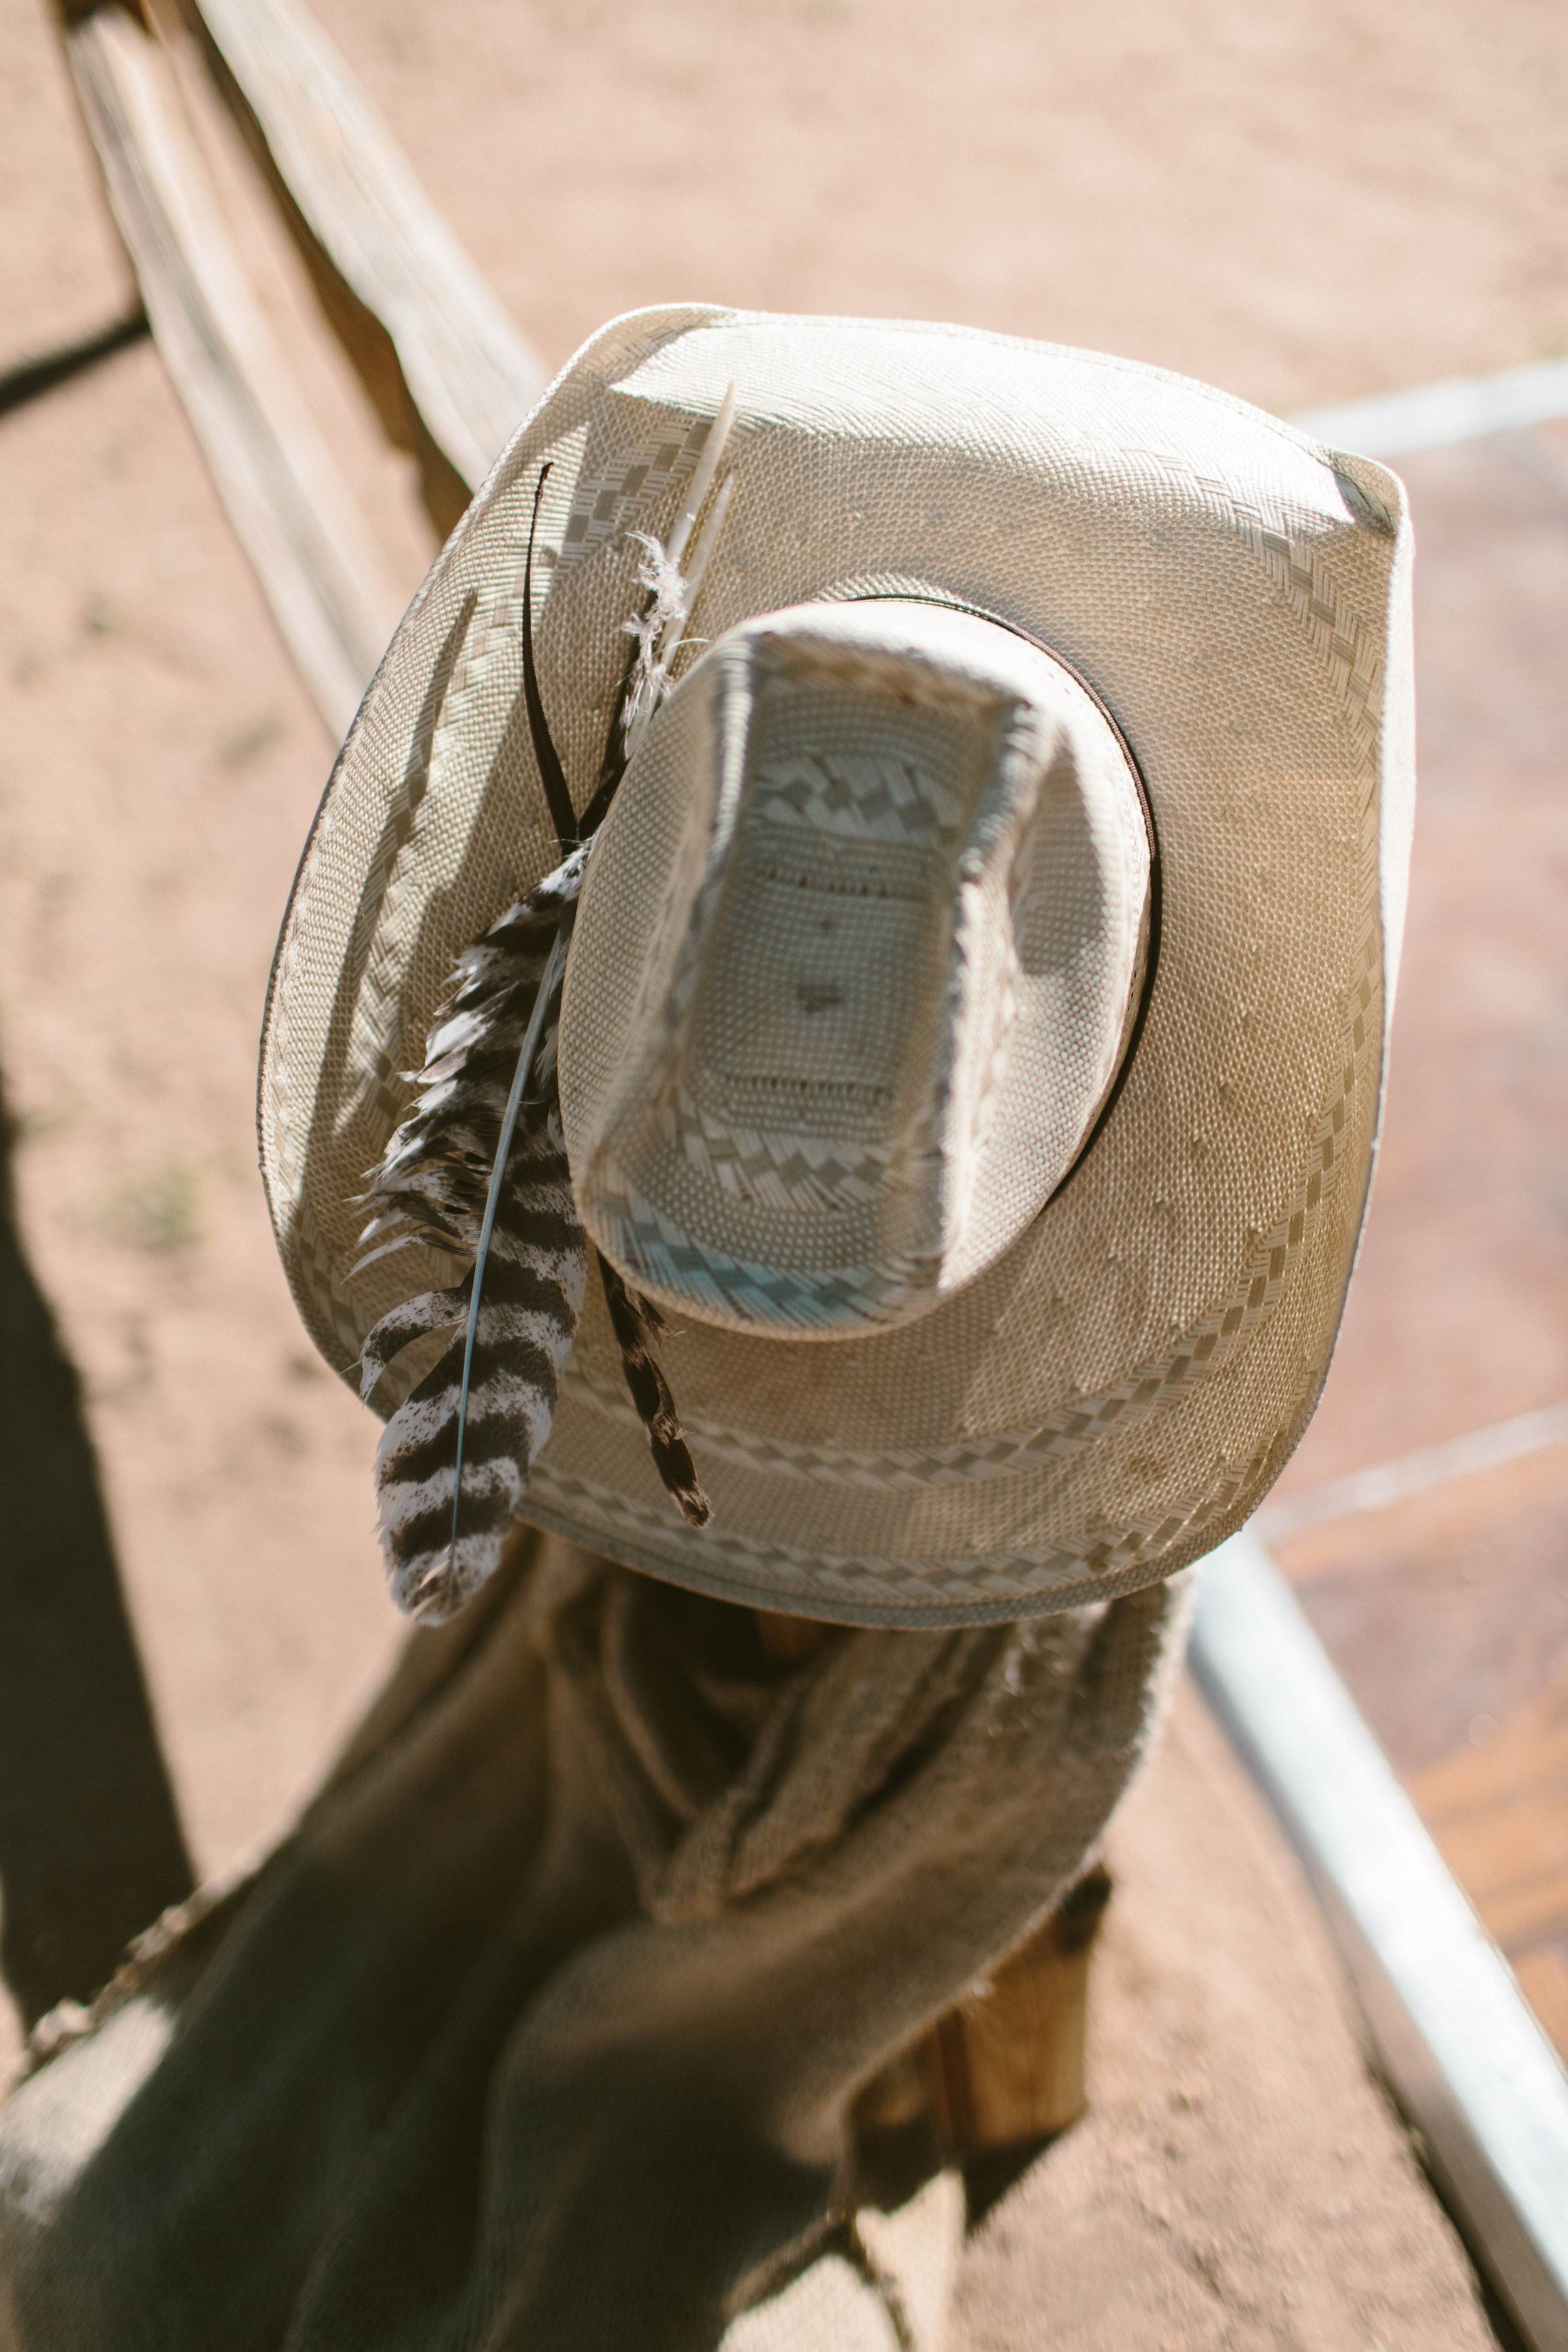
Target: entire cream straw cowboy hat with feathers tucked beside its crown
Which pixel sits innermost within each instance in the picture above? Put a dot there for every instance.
(953, 935)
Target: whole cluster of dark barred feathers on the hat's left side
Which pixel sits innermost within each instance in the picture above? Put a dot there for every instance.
(457, 1455)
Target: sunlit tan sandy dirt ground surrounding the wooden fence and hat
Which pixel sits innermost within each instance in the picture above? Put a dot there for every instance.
(1301, 203)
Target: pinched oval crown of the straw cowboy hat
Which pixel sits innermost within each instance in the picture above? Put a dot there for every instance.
(892, 876)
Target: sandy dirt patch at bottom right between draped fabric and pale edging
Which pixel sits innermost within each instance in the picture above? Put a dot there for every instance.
(1238, 2184)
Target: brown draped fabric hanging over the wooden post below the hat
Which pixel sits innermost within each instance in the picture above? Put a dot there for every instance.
(551, 2024)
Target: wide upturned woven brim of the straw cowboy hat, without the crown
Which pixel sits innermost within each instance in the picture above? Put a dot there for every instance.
(1123, 1387)
